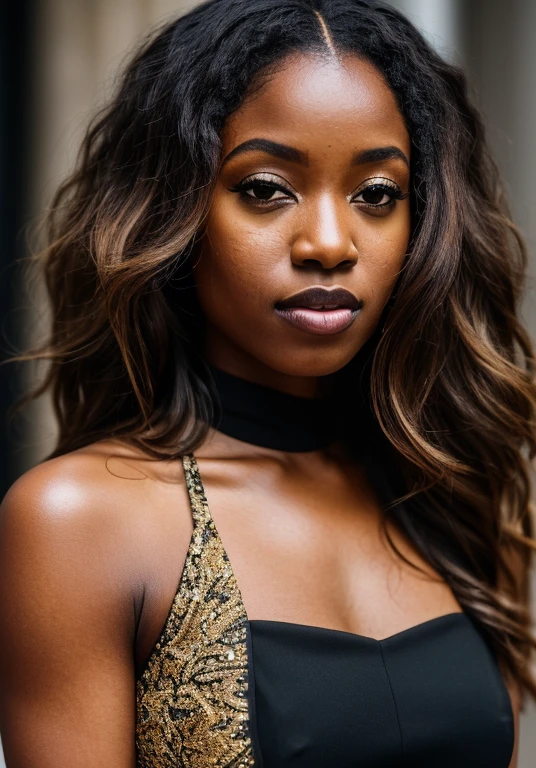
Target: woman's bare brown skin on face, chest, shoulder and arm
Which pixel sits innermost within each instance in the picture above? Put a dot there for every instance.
(90, 545)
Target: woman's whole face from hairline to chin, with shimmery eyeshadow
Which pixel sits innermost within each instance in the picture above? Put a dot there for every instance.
(312, 193)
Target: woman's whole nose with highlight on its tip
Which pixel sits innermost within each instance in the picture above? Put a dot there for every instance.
(325, 237)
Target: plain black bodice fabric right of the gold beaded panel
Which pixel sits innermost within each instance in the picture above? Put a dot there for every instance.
(431, 696)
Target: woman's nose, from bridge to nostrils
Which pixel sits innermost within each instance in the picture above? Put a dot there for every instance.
(327, 234)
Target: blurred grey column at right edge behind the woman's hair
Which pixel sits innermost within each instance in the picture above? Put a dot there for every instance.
(500, 46)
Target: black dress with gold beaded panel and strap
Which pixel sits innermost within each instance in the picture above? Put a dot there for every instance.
(222, 690)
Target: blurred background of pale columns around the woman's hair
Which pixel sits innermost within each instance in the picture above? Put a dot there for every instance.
(59, 60)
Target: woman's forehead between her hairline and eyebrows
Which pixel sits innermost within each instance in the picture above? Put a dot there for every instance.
(315, 103)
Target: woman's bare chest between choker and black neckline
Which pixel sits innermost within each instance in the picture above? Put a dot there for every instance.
(306, 547)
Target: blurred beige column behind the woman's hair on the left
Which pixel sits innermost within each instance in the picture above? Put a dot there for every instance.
(79, 45)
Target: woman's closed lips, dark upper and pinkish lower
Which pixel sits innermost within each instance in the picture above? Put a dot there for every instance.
(319, 310)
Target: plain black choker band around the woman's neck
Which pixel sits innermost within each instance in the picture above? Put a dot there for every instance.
(266, 417)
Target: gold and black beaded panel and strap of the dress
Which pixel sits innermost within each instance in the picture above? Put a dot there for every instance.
(192, 697)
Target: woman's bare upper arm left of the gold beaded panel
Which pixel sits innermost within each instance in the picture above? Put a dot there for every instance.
(66, 663)
